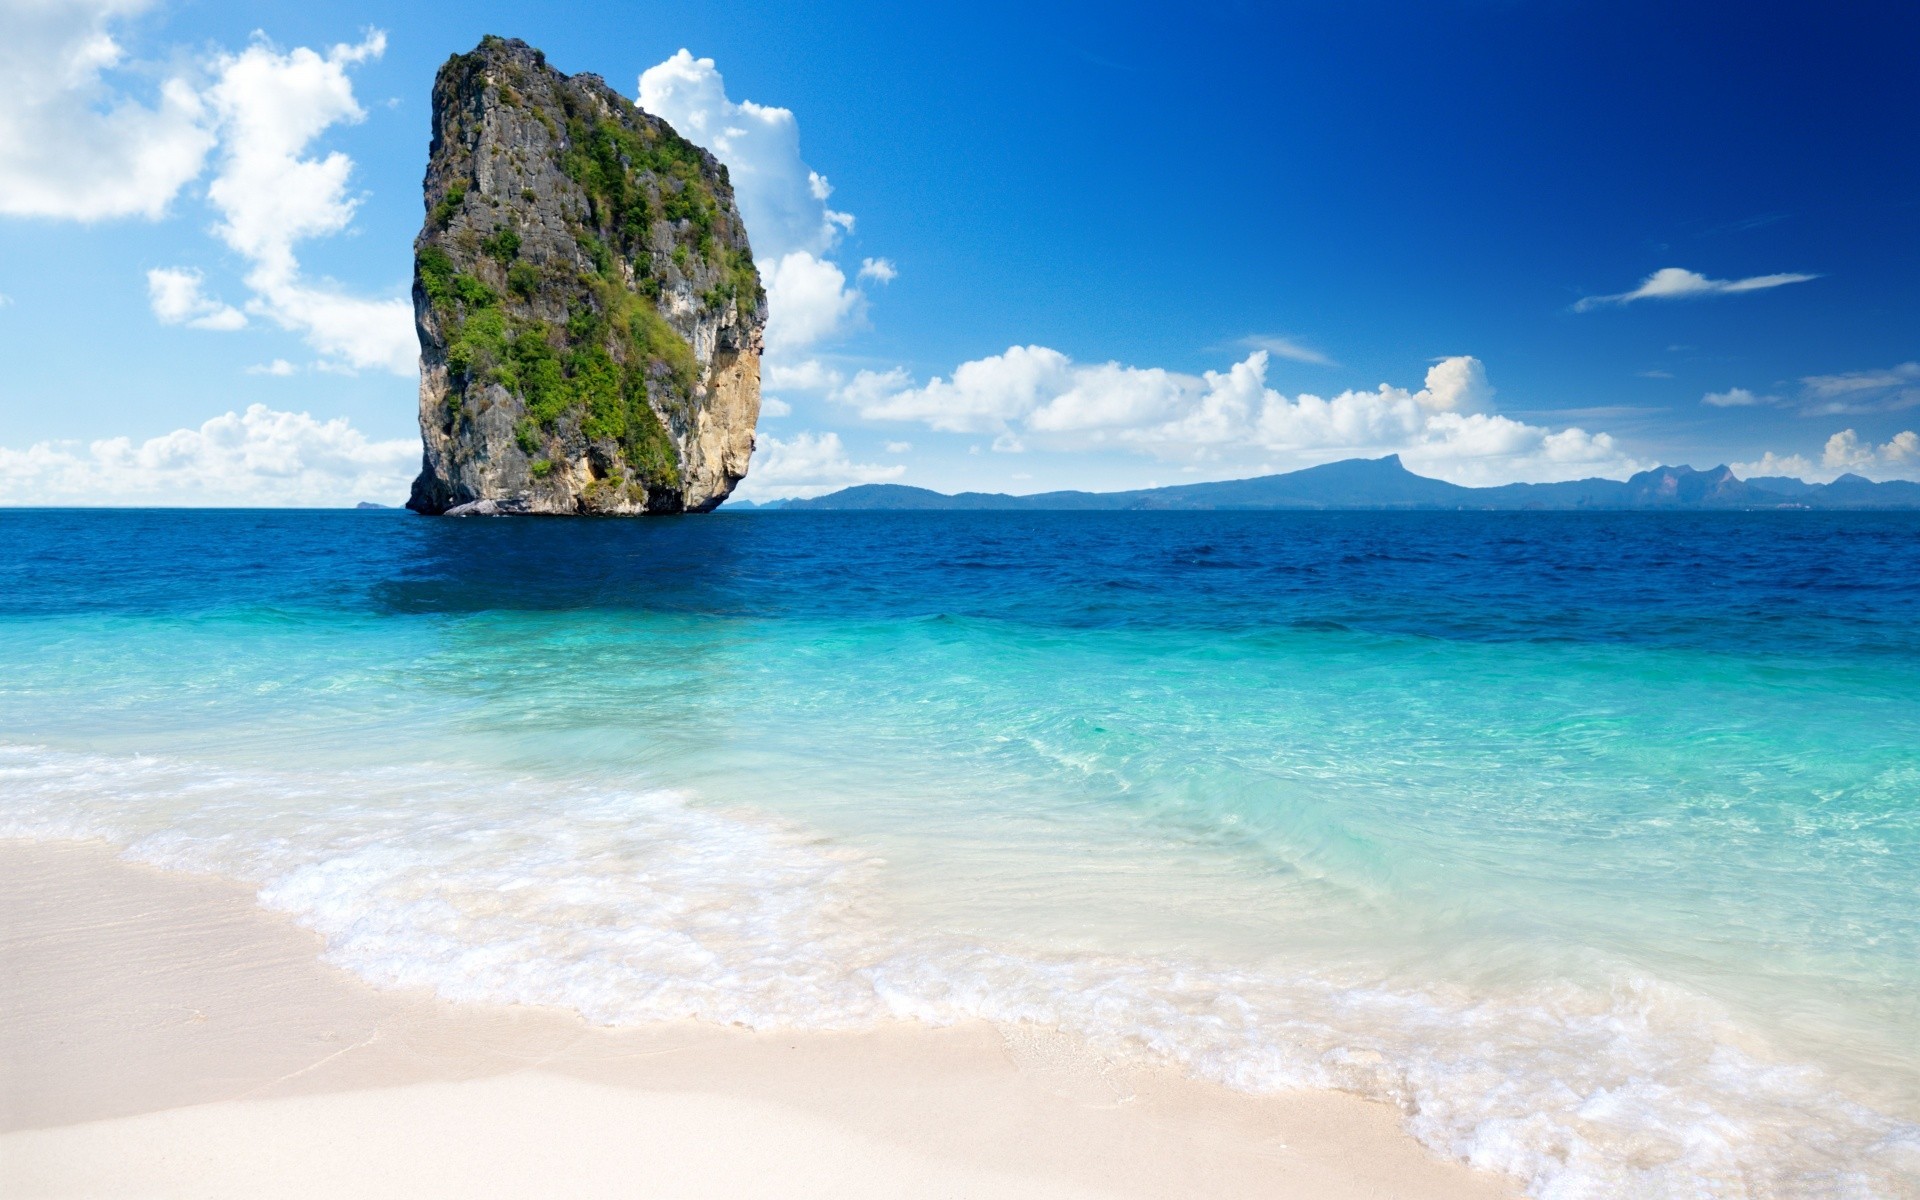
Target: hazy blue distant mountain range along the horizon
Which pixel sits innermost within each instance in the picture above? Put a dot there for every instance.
(1389, 485)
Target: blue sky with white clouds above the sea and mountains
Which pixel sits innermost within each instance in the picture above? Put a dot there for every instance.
(1128, 245)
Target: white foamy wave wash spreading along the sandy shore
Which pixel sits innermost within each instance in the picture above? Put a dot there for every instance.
(636, 905)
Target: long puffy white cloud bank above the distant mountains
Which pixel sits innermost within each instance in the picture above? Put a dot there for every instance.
(1042, 398)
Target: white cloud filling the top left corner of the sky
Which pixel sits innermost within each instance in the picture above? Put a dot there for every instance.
(70, 145)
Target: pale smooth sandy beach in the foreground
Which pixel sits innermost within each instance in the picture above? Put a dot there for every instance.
(166, 1036)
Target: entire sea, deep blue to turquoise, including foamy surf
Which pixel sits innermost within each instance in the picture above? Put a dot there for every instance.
(1591, 842)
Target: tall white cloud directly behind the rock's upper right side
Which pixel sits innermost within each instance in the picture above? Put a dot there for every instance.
(782, 201)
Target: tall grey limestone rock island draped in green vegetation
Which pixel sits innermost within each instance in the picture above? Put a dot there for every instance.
(588, 308)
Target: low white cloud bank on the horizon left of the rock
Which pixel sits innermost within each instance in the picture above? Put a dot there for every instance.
(258, 458)
